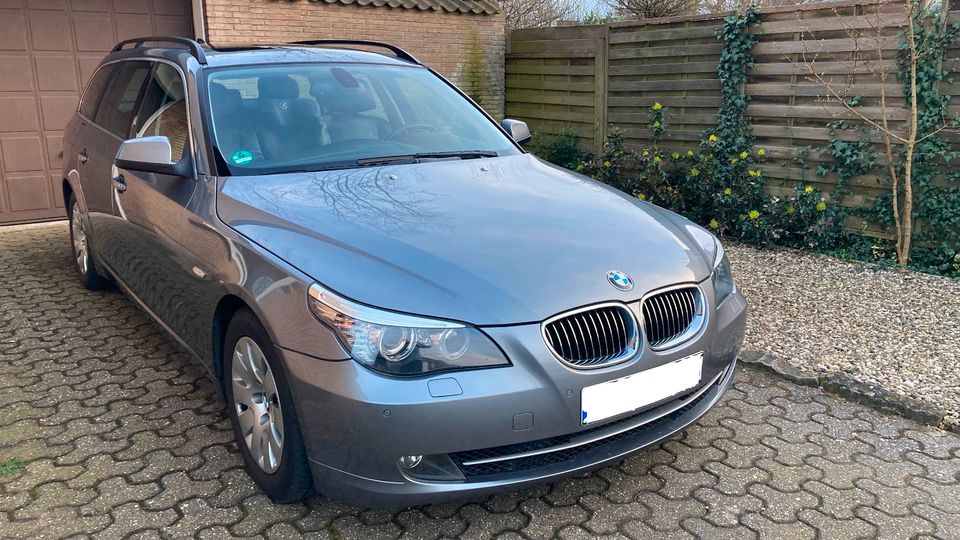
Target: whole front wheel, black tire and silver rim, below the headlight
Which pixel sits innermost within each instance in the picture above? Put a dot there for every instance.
(262, 411)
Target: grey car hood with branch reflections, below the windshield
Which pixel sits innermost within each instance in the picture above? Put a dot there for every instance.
(487, 241)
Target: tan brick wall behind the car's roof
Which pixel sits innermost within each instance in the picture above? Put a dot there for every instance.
(454, 44)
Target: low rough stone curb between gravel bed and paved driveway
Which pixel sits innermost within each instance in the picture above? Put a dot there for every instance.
(844, 385)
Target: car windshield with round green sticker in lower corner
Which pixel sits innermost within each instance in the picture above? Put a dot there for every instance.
(303, 117)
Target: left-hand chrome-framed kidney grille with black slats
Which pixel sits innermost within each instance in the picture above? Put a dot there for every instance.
(594, 337)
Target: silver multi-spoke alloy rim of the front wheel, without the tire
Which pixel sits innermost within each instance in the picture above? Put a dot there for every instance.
(257, 404)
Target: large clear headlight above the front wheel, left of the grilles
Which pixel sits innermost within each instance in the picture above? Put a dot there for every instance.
(402, 344)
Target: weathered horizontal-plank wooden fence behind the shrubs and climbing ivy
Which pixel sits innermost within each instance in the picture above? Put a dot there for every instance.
(595, 78)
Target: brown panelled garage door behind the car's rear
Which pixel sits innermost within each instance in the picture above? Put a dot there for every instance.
(48, 50)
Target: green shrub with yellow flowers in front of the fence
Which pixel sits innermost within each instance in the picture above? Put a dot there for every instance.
(726, 195)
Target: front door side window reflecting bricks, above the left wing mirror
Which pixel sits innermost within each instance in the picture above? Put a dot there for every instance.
(163, 110)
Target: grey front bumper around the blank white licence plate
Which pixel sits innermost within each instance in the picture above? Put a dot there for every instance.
(497, 429)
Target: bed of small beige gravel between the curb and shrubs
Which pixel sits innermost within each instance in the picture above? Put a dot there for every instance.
(899, 330)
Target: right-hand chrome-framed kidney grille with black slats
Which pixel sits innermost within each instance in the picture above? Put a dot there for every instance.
(671, 317)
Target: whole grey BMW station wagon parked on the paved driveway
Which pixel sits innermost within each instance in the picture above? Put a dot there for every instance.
(398, 304)
